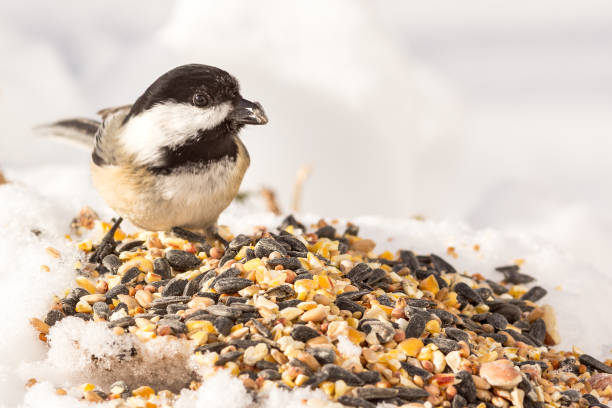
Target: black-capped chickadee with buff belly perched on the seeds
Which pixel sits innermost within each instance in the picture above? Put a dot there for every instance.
(173, 159)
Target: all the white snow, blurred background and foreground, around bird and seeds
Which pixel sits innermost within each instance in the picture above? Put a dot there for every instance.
(491, 122)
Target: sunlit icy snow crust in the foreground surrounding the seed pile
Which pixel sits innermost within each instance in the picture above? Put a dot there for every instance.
(581, 304)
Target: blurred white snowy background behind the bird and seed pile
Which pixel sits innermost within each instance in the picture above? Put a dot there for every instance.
(496, 114)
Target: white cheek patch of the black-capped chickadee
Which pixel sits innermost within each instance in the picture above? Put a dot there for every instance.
(168, 125)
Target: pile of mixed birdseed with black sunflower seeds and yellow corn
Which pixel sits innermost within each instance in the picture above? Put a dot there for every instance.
(291, 309)
